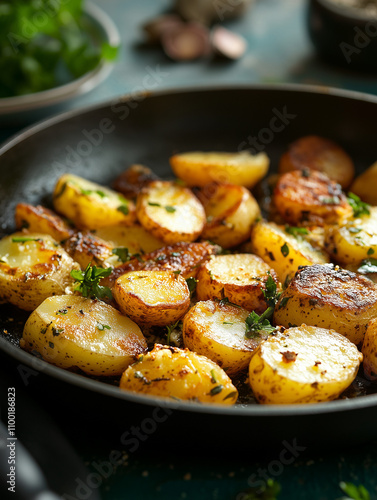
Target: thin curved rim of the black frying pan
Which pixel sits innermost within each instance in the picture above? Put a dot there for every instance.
(112, 391)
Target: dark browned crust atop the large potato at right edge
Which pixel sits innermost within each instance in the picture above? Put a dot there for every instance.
(330, 285)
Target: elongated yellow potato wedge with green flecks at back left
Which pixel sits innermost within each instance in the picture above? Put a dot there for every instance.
(90, 205)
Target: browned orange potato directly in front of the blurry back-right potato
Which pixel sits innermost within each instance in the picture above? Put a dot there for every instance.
(310, 197)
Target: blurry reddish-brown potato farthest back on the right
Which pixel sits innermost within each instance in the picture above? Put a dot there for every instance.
(319, 154)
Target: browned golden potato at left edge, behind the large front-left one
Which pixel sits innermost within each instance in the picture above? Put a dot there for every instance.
(32, 267)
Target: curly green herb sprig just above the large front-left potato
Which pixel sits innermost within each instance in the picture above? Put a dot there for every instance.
(88, 282)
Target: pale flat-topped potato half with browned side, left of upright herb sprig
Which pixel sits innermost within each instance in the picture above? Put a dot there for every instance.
(241, 278)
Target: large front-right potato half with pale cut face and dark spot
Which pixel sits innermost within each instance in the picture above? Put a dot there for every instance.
(303, 365)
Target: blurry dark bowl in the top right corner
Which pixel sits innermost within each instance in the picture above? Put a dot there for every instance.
(342, 35)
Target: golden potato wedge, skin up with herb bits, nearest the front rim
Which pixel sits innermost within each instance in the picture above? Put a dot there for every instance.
(179, 373)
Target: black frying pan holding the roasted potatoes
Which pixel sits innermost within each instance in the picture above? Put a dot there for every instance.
(100, 142)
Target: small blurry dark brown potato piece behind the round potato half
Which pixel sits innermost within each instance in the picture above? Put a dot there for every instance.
(131, 181)
